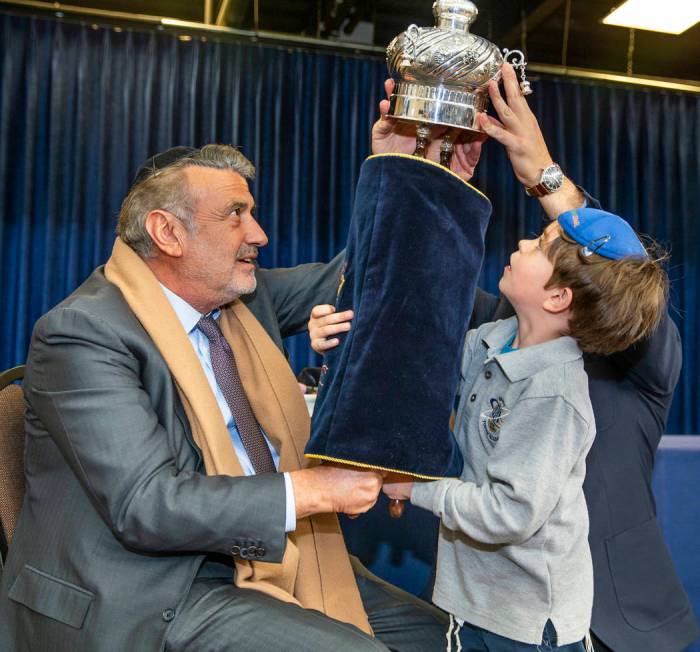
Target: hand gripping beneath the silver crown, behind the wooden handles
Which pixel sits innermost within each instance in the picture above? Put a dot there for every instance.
(390, 136)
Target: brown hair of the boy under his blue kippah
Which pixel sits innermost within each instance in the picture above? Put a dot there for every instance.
(615, 302)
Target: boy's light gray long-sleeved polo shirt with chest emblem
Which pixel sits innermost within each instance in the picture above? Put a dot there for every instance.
(513, 548)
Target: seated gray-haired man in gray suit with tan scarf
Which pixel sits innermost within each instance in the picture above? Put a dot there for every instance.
(157, 462)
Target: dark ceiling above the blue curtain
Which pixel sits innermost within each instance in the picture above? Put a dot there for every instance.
(590, 43)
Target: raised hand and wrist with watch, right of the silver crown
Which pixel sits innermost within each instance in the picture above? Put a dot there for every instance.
(519, 132)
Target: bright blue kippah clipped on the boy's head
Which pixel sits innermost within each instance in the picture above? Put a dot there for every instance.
(602, 233)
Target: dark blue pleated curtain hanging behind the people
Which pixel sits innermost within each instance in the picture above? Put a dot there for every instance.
(82, 107)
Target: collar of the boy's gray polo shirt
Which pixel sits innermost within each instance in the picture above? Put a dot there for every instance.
(523, 363)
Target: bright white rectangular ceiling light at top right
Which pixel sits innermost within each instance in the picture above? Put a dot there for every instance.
(671, 16)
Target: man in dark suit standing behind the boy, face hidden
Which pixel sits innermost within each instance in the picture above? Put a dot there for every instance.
(639, 603)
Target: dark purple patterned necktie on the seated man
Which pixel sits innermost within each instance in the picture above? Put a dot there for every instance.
(226, 374)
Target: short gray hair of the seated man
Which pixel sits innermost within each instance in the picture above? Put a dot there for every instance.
(167, 189)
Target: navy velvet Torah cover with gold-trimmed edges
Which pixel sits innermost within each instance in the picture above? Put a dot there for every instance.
(415, 248)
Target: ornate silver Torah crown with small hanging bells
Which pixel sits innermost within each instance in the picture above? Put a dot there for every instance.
(442, 72)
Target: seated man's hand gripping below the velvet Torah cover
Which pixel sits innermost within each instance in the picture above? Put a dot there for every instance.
(330, 488)
